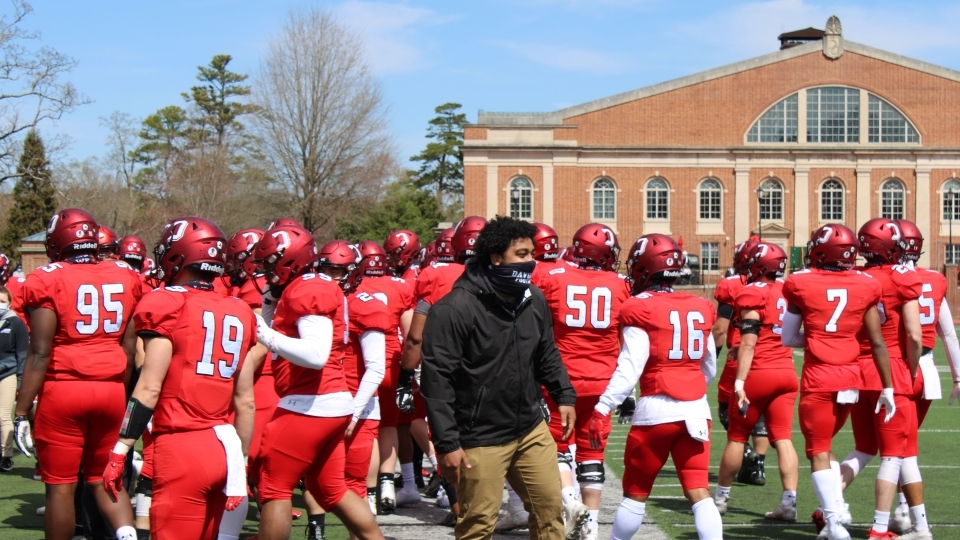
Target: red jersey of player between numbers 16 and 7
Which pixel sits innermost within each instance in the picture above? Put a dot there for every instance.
(768, 301)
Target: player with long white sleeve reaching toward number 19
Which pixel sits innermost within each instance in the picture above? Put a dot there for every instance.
(305, 437)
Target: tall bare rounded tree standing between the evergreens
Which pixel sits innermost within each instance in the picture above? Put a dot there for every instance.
(322, 121)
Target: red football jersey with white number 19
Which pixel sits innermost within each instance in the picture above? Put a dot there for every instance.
(211, 335)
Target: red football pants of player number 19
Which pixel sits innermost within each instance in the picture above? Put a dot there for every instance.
(190, 472)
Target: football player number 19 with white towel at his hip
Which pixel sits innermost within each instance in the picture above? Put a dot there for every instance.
(194, 375)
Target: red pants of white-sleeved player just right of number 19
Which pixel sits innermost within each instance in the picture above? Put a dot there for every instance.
(297, 446)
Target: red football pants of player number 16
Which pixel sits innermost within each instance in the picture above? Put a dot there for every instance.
(648, 448)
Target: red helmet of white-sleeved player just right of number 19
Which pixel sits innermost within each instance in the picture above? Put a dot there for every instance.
(284, 253)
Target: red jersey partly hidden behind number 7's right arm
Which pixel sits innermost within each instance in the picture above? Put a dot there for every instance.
(900, 285)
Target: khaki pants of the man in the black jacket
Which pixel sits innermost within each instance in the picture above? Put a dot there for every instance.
(530, 464)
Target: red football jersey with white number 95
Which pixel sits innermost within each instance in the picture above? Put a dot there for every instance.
(93, 303)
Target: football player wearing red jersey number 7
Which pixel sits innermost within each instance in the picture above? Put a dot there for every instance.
(833, 301)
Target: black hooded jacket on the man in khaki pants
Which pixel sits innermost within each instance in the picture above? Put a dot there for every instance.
(484, 362)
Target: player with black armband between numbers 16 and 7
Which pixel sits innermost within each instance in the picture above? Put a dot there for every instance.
(766, 381)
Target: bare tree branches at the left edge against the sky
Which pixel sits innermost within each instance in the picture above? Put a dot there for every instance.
(31, 85)
